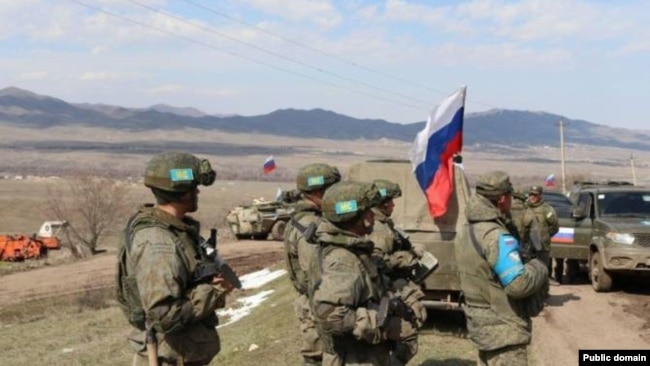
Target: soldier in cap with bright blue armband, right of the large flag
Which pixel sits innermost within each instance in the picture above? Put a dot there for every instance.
(501, 292)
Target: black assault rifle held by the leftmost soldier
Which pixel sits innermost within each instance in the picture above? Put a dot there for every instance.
(216, 265)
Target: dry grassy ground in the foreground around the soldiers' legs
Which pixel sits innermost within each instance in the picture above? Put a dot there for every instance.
(88, 329)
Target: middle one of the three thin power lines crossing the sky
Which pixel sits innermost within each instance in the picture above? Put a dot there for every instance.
(275, 54)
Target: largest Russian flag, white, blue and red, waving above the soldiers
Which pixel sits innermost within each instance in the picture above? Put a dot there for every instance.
(434, 148)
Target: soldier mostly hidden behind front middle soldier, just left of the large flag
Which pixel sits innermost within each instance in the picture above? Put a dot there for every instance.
(397, 257)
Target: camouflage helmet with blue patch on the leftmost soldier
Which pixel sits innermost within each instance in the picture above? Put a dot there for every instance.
(175, 171)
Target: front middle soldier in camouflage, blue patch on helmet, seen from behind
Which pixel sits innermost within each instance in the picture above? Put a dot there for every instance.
(346, 284)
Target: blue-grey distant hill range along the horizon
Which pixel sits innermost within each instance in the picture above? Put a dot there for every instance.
(511, 127)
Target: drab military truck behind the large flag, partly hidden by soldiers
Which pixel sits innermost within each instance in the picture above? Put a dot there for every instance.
(411, 214)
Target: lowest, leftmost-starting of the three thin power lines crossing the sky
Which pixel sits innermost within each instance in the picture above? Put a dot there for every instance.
(191, 40)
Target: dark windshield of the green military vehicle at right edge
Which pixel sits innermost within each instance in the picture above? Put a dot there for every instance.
(624, 204)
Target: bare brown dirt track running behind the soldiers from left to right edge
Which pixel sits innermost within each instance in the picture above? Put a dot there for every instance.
(576, 318)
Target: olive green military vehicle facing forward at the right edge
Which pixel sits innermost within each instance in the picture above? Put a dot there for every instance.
(612, 230)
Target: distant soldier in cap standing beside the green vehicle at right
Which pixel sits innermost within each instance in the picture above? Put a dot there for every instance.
(546, 218)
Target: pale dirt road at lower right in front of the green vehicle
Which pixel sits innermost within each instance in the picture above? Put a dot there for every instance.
(579, 318)
